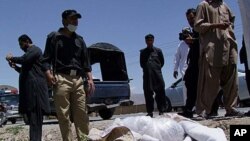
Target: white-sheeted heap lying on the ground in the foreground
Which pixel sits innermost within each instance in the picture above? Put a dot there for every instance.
(169, 127)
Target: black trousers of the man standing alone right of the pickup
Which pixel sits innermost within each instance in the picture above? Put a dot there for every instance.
(160, 99)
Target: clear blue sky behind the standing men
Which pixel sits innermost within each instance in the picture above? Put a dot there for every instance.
(123, 23)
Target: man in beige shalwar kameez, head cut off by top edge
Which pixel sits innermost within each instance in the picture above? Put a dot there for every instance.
(218, 57)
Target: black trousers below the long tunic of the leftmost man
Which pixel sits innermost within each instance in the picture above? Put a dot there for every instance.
(35, 118)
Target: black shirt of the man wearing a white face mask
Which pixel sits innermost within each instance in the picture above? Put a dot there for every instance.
(66, 53)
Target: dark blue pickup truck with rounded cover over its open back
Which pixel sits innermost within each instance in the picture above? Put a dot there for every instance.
(112, 89)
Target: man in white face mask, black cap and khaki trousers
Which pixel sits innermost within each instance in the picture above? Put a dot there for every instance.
(66, 53)
